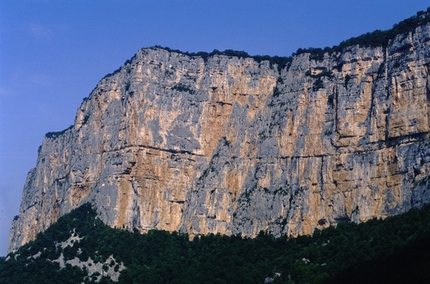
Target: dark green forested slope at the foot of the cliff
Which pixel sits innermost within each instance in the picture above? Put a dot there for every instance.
(387, 251)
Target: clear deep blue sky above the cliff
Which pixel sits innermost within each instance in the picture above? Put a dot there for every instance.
(53, 53)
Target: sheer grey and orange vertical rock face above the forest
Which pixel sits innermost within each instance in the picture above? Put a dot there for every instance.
(231, 145)
